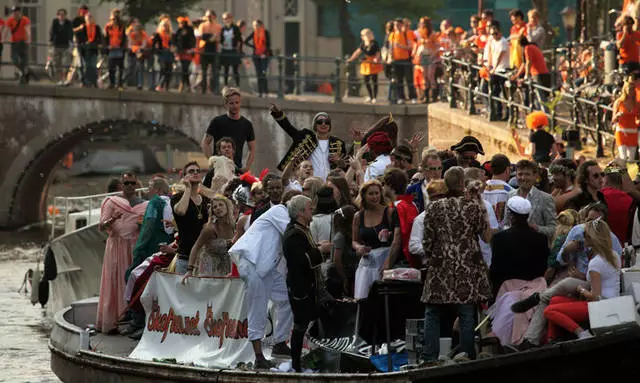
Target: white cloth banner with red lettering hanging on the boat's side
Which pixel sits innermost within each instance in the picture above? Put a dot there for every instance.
(203, 322)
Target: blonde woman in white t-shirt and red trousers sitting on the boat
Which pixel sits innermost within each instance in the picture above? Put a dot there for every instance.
(603, 282)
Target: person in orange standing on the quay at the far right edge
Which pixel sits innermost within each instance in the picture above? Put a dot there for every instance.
(626, 122)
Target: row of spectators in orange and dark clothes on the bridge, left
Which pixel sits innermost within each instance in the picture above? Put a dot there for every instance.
(200, 50)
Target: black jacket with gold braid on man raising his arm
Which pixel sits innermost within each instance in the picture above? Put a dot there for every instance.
(300, 136)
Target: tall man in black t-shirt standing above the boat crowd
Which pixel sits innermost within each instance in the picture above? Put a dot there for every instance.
(233, 125)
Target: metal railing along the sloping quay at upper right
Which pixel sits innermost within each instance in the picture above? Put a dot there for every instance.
(583, 116)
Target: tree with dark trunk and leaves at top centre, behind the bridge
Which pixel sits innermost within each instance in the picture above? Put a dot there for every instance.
(383, 10)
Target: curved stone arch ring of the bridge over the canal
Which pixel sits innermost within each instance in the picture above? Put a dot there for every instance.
(28, 200)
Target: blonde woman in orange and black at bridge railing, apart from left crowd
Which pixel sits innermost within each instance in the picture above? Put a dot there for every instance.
(371, 64)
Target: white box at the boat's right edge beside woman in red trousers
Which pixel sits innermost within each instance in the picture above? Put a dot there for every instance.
(607, 314)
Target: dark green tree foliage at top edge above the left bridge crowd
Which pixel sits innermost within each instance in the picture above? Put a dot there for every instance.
(148, 10)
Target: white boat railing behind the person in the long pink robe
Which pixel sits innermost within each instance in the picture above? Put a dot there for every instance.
(63, 206)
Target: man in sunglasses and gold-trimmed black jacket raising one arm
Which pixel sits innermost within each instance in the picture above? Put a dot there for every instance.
(316, 144)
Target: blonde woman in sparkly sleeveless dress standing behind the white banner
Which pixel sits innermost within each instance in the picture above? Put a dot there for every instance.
(215, 239)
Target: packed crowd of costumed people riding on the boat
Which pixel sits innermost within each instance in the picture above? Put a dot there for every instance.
(345, 209)
